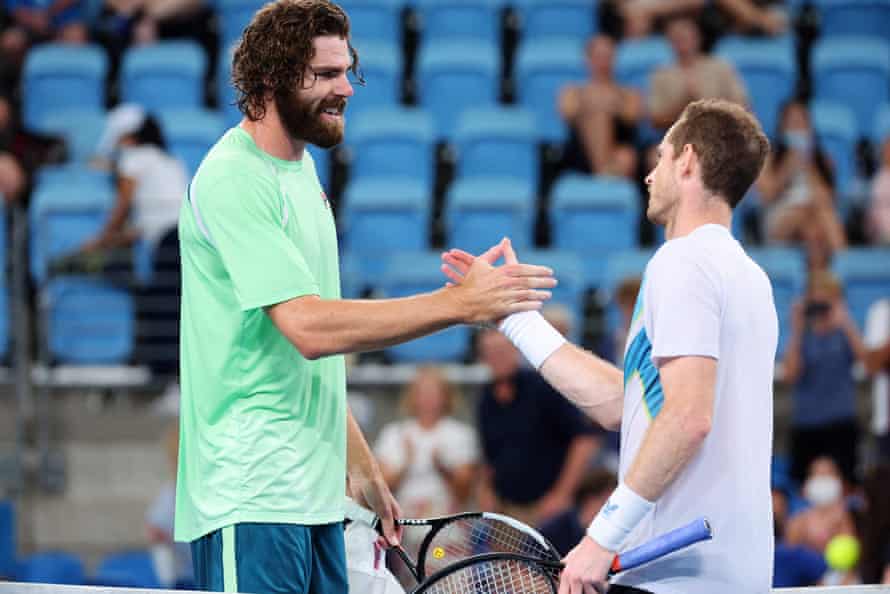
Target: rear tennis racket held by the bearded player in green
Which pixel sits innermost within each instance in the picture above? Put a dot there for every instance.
(455, 537)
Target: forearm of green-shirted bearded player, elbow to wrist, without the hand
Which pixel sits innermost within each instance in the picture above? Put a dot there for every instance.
(319, 328)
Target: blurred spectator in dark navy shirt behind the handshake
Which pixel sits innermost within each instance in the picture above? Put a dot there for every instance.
(535, 444)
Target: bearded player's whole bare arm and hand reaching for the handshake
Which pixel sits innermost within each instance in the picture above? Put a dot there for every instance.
(325, 327)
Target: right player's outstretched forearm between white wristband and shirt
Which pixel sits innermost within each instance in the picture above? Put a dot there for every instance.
(595, 386)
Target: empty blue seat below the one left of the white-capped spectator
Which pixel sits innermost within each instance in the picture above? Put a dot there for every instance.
(88, 321)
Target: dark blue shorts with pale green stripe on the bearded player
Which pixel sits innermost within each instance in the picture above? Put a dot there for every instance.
(272, 558)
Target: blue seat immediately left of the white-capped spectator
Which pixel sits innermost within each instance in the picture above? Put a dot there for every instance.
(66, 210)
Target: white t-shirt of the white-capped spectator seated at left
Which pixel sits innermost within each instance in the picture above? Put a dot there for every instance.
(161, 184)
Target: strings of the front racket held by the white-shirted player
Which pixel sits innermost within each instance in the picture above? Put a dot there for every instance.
(497, 576)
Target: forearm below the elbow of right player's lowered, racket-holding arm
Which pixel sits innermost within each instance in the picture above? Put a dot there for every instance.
(671, 442)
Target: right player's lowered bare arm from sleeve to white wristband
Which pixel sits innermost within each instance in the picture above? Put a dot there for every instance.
(681, 427)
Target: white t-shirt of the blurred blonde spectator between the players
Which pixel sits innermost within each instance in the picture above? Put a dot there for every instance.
(423, 491)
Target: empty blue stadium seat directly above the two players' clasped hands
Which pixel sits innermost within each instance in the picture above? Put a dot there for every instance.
(482, 210)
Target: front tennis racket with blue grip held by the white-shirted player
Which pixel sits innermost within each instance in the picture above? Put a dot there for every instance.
(506, 573)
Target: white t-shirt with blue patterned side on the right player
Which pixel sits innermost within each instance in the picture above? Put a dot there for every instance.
(703, 296)
